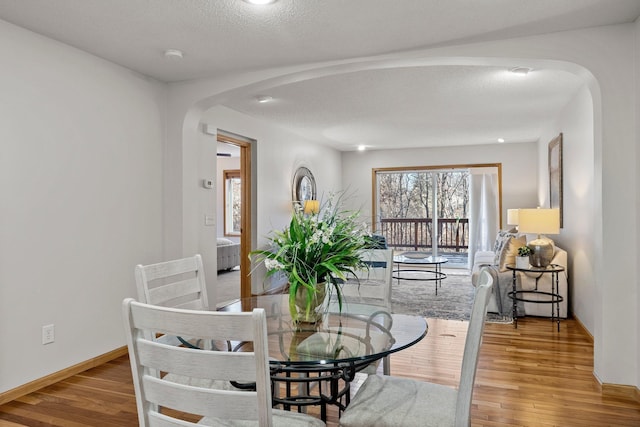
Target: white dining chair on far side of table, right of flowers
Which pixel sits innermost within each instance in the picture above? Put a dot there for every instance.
(370, 288)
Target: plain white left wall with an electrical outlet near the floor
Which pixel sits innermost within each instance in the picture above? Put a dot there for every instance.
(81, 184)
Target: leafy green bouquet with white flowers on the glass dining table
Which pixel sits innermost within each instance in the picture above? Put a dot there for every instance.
(316, 248)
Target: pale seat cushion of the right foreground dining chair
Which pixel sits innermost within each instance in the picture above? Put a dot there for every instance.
(391, 401)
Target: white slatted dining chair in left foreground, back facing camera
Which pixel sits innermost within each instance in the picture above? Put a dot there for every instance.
(162, 402)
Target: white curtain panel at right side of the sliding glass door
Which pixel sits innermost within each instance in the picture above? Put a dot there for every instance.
(483, 211)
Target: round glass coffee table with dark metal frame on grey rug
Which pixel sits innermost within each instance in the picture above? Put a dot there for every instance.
(433, 272)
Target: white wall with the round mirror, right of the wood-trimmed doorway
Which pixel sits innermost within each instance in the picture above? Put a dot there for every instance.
(279, 154)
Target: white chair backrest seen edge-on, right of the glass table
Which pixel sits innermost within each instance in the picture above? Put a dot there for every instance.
(472, 348)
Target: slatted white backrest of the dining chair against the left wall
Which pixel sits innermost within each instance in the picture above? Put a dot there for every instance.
(178, 283)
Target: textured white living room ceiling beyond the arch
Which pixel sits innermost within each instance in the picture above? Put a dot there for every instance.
(418, 106)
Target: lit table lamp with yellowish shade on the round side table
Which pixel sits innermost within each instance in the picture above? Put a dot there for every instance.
(540, 221)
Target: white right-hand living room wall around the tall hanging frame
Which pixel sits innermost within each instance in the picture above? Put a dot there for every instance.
(576, 124)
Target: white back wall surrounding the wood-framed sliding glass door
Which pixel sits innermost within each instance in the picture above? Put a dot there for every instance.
(519, 170)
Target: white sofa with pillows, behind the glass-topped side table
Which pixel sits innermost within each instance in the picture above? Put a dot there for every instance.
(504, 252)
